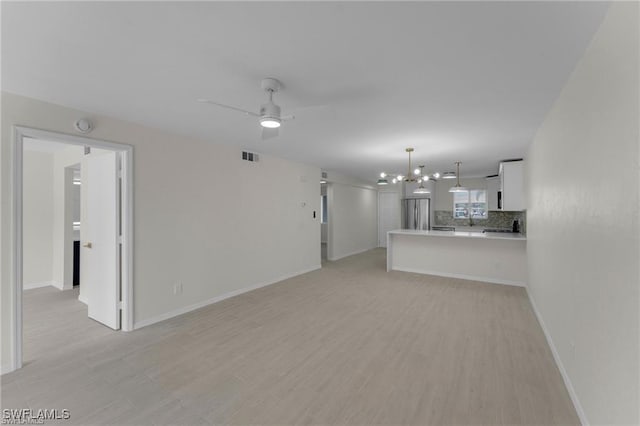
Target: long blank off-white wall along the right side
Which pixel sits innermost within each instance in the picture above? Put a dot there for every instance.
(582, 223)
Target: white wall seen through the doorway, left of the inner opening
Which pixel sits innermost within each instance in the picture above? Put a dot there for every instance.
(38, 218)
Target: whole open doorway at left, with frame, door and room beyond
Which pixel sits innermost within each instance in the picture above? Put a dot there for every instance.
(74, 240)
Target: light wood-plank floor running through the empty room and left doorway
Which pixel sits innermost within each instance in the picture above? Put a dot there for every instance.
(348, 344)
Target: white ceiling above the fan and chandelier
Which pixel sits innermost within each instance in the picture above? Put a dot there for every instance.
(468, 81)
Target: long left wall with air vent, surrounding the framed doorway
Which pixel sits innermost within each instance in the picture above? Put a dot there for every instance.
(191, 225)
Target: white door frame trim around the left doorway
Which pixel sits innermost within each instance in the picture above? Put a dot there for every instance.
(126, 157)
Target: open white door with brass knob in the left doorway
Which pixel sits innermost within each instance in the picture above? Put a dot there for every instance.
(100, 256)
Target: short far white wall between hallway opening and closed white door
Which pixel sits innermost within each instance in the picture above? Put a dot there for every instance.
(353, 216)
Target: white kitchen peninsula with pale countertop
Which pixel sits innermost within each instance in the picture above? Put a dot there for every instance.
(491, 257)
